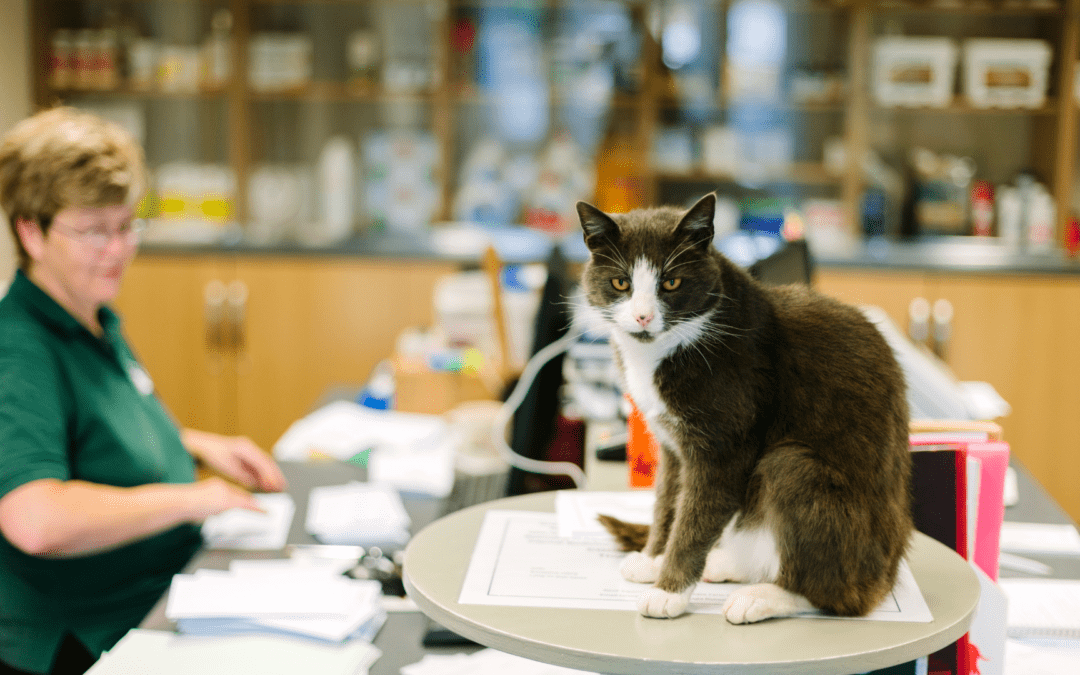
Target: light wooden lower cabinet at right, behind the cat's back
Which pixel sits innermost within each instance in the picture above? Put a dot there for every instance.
(1019, 333)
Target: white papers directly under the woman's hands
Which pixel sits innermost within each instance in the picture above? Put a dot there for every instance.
(240, 529)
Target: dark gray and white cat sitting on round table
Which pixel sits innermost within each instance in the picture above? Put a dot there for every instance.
(782, 422)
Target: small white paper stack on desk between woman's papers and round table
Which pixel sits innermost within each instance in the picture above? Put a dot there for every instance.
(358, 515)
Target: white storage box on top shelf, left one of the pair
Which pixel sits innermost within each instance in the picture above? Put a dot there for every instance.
(914, 72)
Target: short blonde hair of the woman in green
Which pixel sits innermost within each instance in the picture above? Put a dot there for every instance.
(62, 158)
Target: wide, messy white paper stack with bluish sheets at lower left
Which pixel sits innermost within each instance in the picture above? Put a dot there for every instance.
(293, 598)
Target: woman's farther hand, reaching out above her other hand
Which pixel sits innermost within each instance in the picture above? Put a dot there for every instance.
(237, 458)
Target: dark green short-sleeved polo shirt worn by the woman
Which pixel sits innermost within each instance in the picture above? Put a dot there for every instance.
(77, 407)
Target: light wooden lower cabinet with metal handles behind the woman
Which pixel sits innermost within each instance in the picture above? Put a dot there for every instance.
(294, 329)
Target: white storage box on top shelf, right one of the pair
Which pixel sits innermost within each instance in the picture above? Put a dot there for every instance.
(1001, 73)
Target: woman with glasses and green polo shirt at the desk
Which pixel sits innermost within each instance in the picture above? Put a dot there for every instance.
(99, 499)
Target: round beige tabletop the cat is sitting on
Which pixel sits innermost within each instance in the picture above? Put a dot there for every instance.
(626, 643)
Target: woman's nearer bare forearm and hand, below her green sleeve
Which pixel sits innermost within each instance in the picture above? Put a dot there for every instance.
(67, 519)
